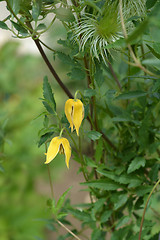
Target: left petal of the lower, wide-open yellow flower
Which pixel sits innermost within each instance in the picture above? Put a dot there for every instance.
(53, 149)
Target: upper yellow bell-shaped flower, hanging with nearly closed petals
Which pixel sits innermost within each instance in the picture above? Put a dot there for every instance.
(74, 111)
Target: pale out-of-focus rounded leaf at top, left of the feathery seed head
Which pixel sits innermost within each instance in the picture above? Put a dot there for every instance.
(64, 14)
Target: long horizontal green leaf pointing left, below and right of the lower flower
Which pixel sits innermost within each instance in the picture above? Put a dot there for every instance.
(103, 184)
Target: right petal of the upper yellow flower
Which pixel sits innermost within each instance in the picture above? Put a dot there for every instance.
(78, 114)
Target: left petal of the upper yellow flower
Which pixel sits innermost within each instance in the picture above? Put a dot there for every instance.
(69, 111)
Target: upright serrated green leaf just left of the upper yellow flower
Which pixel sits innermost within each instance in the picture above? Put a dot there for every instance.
(48, 95)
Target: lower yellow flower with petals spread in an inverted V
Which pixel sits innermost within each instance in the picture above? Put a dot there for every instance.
(58, 145)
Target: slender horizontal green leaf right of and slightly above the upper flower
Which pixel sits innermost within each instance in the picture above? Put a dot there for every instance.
(130, 95)
